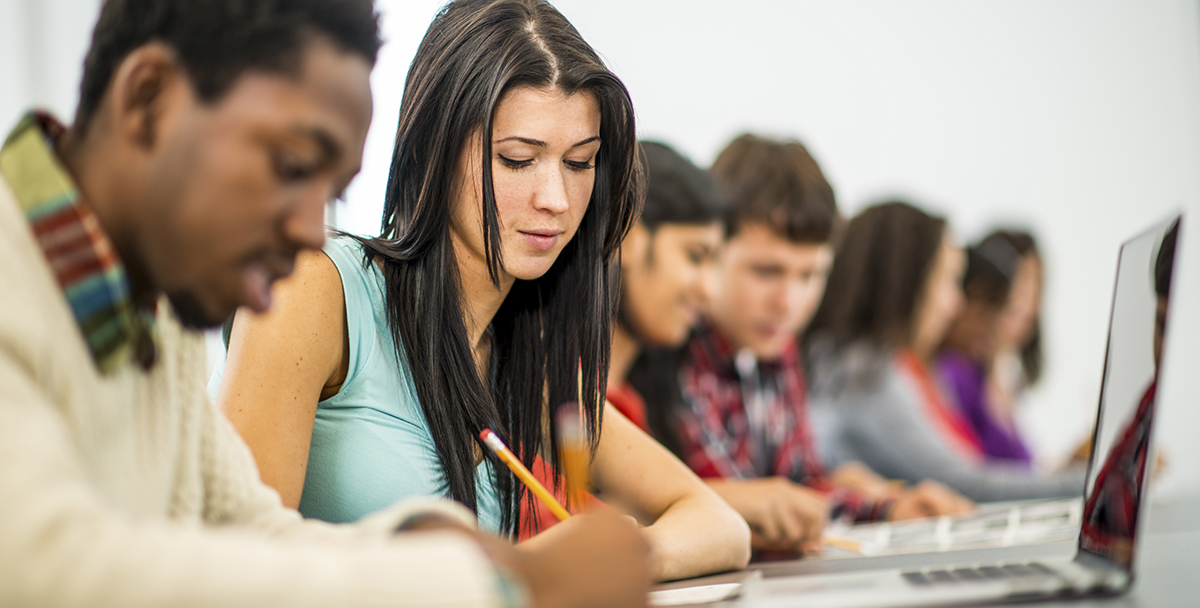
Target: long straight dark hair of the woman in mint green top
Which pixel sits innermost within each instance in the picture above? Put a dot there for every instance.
(548, 330)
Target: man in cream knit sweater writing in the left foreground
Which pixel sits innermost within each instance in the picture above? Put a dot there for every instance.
(208, 140)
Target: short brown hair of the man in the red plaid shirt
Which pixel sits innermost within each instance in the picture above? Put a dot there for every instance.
(778, 184)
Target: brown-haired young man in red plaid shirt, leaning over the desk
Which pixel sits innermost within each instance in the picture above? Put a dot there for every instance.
(733, 404)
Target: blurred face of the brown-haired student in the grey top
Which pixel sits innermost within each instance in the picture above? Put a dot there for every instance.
(940, 300)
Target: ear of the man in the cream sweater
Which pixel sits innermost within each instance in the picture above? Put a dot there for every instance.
(149, 82)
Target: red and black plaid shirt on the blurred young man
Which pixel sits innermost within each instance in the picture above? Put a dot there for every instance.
(722, 437)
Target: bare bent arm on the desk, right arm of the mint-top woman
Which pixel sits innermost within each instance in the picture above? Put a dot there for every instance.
(694, 532)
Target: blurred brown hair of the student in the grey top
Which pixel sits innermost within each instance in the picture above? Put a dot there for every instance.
(879, 275)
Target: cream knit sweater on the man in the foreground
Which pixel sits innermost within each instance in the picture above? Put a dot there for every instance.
(133, 490)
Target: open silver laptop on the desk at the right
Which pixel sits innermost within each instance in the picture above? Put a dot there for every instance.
(1114, 492)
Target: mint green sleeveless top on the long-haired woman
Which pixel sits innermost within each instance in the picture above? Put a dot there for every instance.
(371, 446)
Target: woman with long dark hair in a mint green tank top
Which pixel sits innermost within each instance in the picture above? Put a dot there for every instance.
(485, 303)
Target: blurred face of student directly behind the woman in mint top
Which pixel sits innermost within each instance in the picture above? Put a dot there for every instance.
(663, 279)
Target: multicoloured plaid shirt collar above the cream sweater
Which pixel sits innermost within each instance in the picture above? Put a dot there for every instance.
(76, 248)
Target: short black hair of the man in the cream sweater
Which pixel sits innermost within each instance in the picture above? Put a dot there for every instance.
(217, 41)
